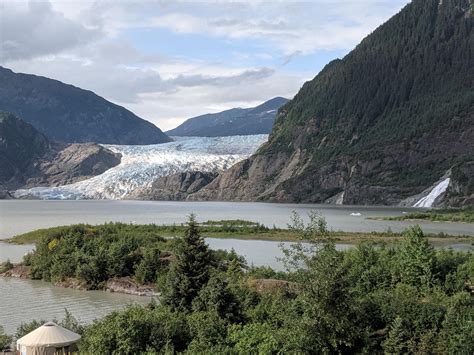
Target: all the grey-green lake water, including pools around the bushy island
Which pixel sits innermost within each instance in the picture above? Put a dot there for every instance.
(23, 300)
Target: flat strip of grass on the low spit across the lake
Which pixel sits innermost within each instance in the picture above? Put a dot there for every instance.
(240, 229)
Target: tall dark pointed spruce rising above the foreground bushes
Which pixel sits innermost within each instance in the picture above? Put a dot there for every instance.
(190, 272)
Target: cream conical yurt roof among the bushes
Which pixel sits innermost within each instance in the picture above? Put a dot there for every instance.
(49, 334)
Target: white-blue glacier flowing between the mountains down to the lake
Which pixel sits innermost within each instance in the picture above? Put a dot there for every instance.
(141, 165)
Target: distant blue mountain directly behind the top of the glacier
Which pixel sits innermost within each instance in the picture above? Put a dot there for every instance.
(233, 122)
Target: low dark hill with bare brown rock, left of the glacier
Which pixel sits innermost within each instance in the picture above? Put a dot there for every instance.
(28, 158)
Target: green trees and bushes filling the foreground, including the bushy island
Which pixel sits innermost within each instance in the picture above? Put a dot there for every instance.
(368, 299)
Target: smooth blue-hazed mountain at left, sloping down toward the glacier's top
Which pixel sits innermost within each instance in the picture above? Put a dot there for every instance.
(69, 114)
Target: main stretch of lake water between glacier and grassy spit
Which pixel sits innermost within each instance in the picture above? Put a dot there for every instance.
(19, 216)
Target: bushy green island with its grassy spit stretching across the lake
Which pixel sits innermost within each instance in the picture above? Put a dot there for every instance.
(128, 258)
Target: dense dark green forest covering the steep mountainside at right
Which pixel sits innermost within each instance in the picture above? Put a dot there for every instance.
(411, 79)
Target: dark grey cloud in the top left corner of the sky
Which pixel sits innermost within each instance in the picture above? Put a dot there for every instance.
(35, 29)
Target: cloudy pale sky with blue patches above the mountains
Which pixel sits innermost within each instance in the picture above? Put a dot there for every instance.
(167, 61)
